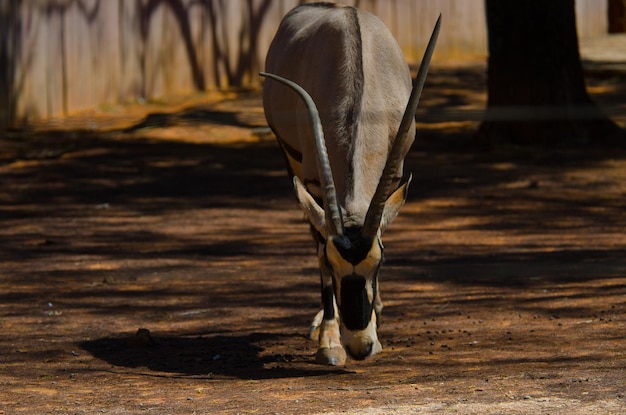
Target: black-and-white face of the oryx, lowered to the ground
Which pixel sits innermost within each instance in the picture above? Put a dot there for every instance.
(354, 264)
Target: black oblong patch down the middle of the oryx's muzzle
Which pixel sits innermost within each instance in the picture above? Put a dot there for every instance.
(356, 310)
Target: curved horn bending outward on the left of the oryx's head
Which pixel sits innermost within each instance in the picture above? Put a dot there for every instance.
(334, 220)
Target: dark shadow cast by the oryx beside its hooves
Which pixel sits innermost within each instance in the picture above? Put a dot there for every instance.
(238, 356)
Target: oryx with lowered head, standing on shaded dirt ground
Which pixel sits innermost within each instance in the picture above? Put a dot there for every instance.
(346, 160)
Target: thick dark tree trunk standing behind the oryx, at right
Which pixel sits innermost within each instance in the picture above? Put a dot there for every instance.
(536, 89)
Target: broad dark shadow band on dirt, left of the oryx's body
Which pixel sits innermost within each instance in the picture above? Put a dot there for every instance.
(145, 175)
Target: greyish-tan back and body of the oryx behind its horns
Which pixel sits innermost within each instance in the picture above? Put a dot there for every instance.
(354, 70)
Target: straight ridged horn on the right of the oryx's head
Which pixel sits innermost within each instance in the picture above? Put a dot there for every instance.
(377, 205)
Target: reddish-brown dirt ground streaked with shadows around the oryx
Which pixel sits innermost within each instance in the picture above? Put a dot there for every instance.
(153, 260)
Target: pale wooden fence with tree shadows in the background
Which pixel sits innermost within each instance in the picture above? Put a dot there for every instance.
(63, 56)
